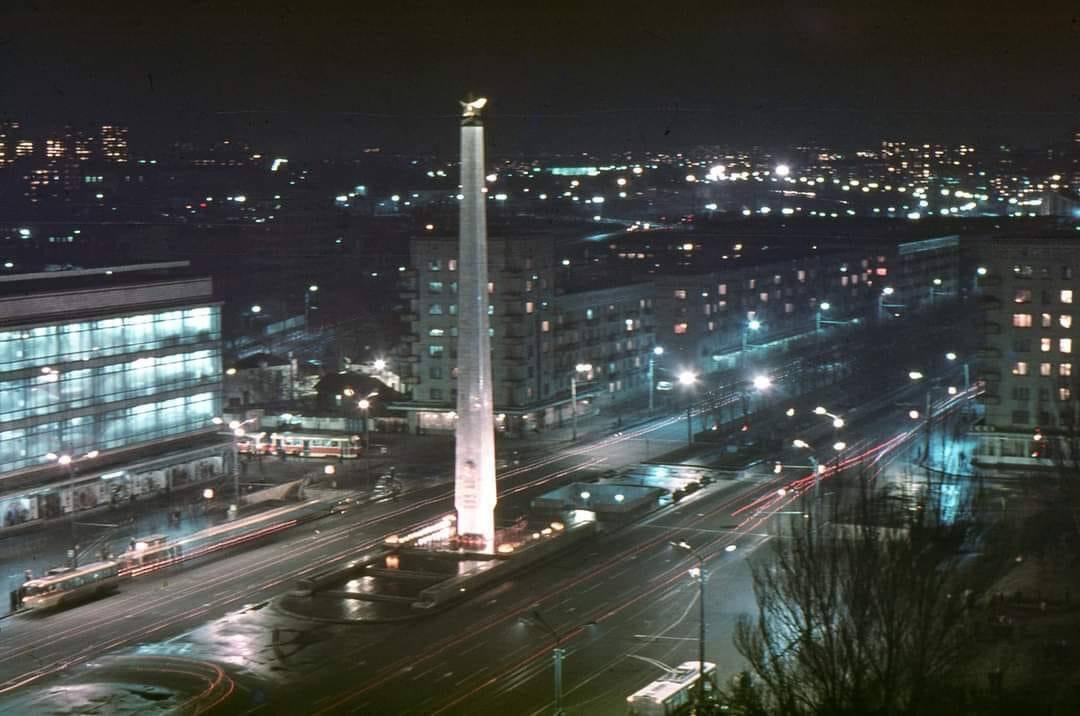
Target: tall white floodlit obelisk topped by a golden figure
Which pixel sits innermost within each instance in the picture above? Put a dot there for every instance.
(475, 489)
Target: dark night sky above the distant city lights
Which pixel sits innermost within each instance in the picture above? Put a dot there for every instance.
(602, 76)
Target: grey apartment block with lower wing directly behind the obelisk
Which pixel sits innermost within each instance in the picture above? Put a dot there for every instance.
(538, 337)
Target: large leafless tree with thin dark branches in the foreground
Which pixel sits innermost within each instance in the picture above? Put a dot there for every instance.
(863, 618)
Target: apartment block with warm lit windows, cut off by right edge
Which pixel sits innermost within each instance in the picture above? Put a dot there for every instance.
(1029, 290)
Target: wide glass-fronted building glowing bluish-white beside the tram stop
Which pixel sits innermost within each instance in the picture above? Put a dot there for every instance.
(103, 364)
